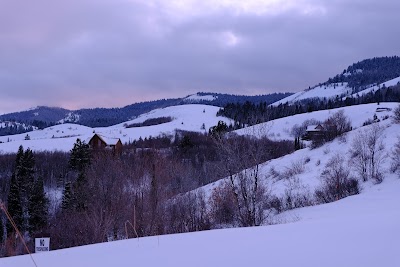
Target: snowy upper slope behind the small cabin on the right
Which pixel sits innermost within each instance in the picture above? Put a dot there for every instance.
(280, 129)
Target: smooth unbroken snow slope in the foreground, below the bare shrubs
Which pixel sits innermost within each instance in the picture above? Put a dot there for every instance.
(362, 230)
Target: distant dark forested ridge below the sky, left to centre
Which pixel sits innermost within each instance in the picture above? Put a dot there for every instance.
(42, 116)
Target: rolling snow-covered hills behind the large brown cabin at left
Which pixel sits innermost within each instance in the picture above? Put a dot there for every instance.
(62, 137)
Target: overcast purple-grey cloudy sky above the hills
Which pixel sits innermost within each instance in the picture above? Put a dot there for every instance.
(111, 53)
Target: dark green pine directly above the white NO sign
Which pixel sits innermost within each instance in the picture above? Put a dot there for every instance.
(37, 207)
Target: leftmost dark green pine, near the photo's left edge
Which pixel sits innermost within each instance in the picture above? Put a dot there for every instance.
(14, 206)
